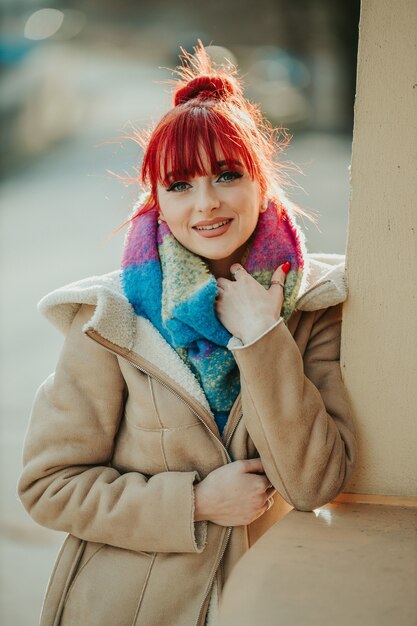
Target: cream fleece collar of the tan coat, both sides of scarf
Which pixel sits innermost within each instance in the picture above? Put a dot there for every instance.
(114, 319)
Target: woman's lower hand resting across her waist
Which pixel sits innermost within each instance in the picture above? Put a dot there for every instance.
(233, 495)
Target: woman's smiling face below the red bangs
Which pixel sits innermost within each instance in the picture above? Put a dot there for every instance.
(215, 215)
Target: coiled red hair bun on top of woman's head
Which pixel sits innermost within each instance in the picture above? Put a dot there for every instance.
(206, 88)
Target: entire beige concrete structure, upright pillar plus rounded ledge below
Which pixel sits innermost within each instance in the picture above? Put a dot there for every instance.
(307, 567)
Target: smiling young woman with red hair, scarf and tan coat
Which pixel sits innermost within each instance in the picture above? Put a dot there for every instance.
(198, 396)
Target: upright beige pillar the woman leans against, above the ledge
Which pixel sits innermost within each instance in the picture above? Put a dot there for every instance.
(379, 342)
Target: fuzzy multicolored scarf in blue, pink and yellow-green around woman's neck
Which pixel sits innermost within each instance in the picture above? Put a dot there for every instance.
(174, 289)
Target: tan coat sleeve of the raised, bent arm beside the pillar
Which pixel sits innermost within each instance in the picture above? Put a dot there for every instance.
(297, 412)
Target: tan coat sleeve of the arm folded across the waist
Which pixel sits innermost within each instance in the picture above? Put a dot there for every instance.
(68, 483)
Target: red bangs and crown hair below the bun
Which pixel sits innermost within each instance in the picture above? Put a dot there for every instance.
(197, 141)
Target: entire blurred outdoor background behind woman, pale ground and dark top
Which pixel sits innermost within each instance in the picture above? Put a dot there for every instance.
(75, 79)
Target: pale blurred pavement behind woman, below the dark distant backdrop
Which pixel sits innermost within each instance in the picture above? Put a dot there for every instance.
(56, 215)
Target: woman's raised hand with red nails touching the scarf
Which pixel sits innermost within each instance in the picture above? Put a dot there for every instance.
(244, 307)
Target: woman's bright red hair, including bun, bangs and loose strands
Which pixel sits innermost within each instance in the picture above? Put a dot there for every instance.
(210, 121)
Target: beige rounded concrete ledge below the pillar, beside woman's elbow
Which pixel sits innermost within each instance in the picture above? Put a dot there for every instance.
(345, 564)
